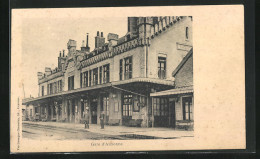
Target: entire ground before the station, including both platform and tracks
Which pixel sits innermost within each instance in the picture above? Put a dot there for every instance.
(67, 131)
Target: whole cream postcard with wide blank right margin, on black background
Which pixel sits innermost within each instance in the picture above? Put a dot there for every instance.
(106, 81)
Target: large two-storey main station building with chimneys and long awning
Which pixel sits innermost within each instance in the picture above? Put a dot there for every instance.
(118, 76)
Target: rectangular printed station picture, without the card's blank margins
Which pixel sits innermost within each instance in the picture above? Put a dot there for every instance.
(138, 85)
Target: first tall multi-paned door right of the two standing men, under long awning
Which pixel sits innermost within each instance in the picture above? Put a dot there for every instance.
(127, 108)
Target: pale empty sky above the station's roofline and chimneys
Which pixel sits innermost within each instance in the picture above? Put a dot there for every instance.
(44, 38)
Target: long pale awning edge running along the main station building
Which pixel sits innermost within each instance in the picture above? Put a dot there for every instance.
(99, 86)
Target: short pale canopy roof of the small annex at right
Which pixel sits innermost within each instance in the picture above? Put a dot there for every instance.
(182, 90)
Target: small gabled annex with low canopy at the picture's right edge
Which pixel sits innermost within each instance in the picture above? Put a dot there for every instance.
(179, 99)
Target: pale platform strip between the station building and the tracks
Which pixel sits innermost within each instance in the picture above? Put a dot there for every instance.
(121, 130)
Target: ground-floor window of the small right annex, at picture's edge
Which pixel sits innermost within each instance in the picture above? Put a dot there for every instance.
(187, 108)
